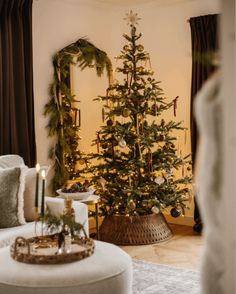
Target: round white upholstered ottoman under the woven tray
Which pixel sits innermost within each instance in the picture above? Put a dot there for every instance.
(108, 270)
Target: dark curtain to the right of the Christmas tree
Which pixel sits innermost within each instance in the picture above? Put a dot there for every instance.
(204, 42)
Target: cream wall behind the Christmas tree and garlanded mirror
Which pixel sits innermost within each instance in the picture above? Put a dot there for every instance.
(166, 36)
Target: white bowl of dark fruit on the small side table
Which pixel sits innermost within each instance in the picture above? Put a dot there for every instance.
(76, 191)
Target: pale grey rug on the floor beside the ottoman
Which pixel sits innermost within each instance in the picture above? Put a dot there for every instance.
(152, 278)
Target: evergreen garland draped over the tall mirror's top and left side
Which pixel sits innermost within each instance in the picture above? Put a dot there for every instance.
(63, 124)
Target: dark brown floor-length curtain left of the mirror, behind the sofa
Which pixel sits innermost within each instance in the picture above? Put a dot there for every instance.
(17, 131)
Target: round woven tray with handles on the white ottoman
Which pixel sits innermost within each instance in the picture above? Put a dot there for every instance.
(44, 250)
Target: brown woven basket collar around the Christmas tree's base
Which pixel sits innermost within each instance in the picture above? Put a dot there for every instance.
(135, 230)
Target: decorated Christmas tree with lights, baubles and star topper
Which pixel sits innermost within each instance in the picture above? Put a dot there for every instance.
(136, 161)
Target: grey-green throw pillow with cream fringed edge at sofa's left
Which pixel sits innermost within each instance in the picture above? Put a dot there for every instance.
(11, 197)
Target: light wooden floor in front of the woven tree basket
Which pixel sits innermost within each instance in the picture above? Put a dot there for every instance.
(184, 249)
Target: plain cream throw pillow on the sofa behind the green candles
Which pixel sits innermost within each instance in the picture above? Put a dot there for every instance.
(29, 193)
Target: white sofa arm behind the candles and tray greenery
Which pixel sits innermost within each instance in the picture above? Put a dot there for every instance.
(56, 205)
